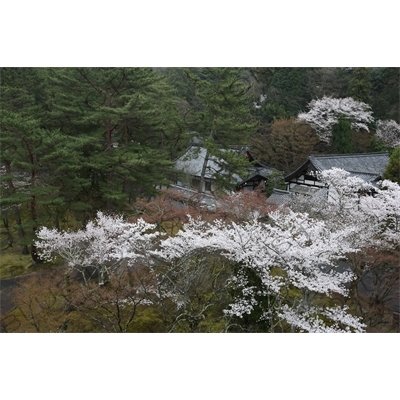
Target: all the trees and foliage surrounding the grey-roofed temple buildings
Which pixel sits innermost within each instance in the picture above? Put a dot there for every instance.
(96, 240)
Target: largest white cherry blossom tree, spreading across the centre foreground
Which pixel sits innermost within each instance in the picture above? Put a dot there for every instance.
(291, 252)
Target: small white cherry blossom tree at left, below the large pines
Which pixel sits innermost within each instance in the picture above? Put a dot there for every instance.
(102, 245)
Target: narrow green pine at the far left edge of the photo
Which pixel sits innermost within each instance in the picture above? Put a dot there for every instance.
(30, 155)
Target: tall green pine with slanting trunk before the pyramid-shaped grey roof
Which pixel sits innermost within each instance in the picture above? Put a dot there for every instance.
(225, 119)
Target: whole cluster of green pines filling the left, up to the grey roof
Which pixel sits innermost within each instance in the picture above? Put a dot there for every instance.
(81, 140)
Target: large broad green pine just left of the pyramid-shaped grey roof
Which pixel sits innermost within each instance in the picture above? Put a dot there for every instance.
(128, 122)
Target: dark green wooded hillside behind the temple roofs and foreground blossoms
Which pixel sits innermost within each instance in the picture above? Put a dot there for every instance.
(78, 140)
